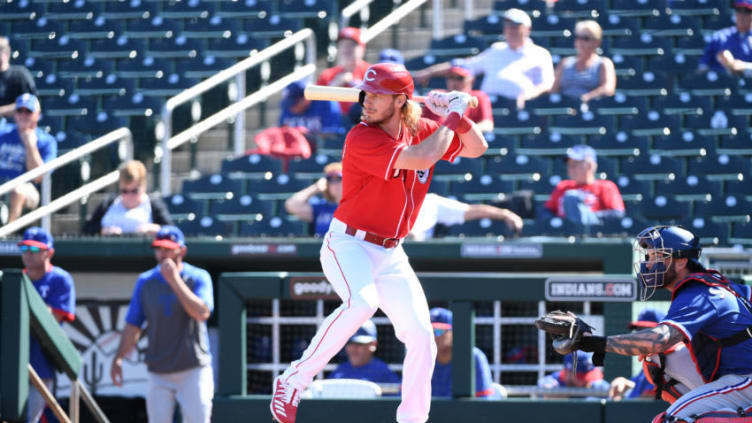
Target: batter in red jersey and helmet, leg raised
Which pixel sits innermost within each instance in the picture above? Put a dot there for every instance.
(388, 161)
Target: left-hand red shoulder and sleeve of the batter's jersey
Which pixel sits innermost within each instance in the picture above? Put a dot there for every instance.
(372, 151)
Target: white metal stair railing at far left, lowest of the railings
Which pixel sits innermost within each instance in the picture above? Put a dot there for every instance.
(47, 208)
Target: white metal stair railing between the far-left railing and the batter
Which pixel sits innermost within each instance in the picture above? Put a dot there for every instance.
(237, 71)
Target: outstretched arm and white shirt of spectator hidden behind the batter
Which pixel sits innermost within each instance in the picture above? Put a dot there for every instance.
(437, 209)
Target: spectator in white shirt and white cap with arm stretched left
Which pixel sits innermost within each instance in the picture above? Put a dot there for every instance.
(516, 69)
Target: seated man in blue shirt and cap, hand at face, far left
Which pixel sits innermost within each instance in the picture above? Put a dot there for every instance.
(22, 149)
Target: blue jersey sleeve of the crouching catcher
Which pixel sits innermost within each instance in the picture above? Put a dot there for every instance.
(690, 310)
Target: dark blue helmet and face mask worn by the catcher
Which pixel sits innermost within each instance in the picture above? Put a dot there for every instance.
(656, 247)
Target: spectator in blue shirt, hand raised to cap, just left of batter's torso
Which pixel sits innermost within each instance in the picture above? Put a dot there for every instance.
(318, 211)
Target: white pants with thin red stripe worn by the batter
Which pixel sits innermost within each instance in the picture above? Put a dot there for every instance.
(367, 277)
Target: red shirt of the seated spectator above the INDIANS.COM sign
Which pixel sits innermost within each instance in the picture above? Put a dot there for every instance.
(600, 195)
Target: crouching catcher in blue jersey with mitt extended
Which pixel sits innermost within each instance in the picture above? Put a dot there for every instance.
(709, 314)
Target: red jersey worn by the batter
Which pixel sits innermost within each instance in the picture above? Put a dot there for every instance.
(376, 197)
